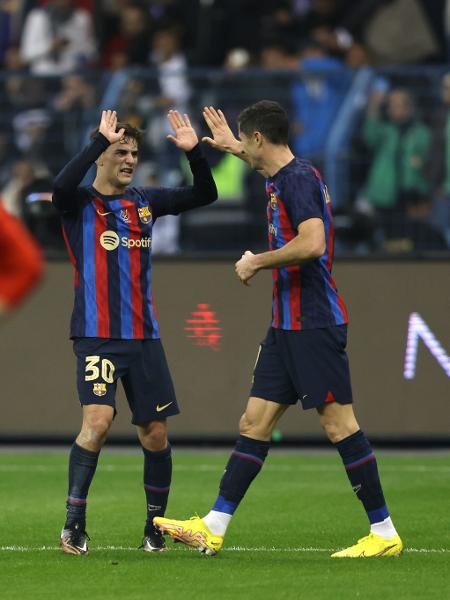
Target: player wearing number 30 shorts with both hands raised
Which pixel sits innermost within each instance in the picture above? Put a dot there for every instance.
(108, 231)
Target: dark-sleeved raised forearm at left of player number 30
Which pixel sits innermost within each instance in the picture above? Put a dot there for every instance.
(72, 174)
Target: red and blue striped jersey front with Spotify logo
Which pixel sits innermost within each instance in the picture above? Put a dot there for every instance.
(109, 242)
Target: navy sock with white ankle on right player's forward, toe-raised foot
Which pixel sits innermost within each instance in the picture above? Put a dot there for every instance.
(243, 466)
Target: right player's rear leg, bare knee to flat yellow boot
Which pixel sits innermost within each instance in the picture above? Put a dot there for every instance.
(342, 429)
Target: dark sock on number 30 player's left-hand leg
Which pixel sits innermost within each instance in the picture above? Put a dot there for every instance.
(82, 465)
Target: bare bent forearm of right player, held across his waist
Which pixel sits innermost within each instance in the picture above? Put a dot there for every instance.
(296, 252)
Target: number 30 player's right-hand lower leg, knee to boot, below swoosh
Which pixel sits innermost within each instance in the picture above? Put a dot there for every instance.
(157, 478)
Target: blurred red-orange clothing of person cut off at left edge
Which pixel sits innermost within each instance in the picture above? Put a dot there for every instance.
(21, 265)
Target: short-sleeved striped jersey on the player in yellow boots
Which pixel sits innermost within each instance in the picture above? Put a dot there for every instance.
(305, 296)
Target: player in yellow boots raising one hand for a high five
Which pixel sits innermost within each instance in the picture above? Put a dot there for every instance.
(303, 355)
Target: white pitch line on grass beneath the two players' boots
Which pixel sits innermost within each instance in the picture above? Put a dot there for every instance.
(229, 549)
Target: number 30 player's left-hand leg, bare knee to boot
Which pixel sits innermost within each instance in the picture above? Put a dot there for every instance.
(83, 460)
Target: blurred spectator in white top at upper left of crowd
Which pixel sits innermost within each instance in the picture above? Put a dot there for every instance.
(57, 38)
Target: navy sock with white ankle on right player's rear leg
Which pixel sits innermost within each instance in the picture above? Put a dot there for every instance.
(362, 471)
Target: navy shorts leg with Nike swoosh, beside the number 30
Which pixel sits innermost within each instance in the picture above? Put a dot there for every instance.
(148, 384)
